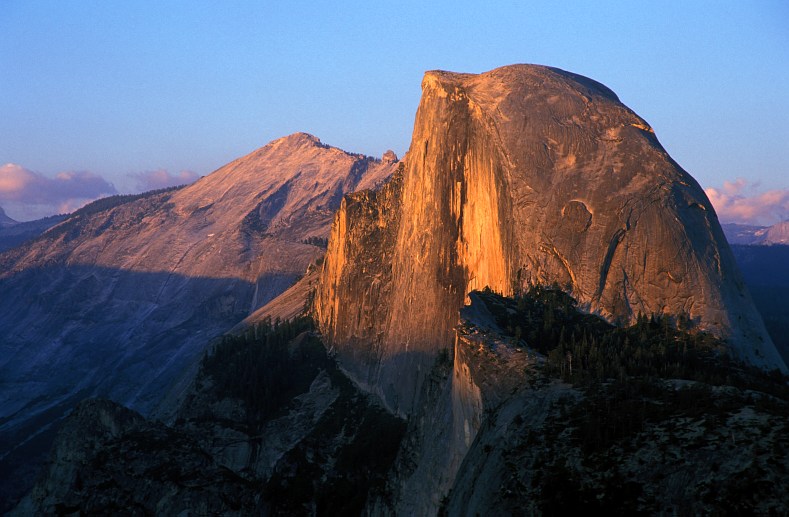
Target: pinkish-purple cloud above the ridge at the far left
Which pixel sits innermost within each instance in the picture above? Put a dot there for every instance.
(34, 195)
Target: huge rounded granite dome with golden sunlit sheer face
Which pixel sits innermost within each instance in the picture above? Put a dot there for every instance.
(527, 174)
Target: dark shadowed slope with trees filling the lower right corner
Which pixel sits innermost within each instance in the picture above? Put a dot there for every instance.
(666, 422)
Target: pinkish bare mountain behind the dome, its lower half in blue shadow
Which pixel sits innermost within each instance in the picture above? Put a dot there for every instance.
(117, 300)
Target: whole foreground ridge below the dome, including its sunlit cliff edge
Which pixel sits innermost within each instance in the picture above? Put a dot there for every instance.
(506, 429)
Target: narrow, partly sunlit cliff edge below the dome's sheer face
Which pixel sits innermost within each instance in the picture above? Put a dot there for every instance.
(483, 374)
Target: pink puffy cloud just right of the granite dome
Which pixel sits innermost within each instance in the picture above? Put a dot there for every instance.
(738, 202)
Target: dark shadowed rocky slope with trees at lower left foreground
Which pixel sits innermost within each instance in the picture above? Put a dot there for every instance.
(316, 446)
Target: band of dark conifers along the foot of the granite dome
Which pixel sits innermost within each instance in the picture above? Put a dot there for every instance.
(584, 349)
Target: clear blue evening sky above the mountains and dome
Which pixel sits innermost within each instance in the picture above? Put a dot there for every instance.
(135, 93)
